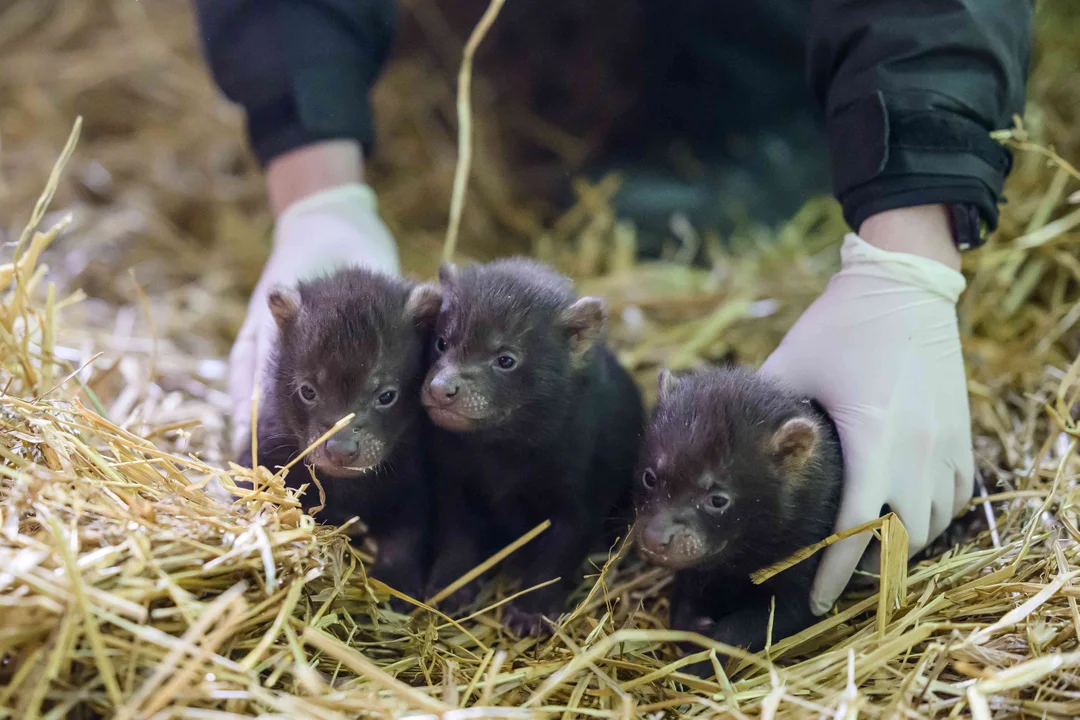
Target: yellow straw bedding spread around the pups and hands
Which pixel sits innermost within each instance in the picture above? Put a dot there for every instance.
(128, 591)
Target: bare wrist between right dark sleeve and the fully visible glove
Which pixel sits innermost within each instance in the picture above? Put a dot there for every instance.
(923, 230)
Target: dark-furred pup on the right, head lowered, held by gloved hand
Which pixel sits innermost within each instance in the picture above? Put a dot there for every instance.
(736, 474)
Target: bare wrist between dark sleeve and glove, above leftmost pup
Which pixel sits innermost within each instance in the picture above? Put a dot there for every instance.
(313, 169)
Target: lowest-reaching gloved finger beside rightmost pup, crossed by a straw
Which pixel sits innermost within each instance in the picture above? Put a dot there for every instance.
(862, 502)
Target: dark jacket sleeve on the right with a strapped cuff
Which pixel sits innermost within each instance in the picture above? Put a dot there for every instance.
(911, 91)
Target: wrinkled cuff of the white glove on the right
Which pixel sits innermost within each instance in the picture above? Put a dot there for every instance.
(860, 257)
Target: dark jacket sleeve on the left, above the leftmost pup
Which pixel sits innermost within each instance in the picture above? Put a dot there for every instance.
(302, 70)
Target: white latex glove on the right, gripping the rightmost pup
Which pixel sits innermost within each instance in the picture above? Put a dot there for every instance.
(881, 351)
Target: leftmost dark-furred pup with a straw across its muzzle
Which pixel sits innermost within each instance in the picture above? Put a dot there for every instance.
(354, 343)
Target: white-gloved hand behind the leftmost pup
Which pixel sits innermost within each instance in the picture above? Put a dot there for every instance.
(331, 228)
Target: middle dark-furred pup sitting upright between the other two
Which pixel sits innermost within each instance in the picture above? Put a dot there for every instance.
(535, 420)
